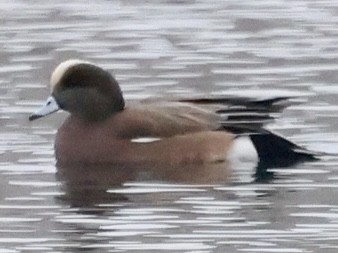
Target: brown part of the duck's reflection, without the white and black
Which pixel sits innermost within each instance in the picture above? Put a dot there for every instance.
(86, 185)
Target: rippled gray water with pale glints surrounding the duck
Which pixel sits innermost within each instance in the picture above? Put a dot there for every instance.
(155, 47)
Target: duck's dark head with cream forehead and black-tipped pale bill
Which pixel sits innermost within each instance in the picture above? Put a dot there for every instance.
(83, 89)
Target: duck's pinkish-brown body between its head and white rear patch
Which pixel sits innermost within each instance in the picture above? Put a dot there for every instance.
(143, 137)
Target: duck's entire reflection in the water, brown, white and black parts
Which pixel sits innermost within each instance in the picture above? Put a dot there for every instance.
(87, 185)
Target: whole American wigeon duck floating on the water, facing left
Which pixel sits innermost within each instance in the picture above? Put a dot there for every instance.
(103, 128)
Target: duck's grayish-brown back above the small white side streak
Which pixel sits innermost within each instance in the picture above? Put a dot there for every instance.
(164, 120)
